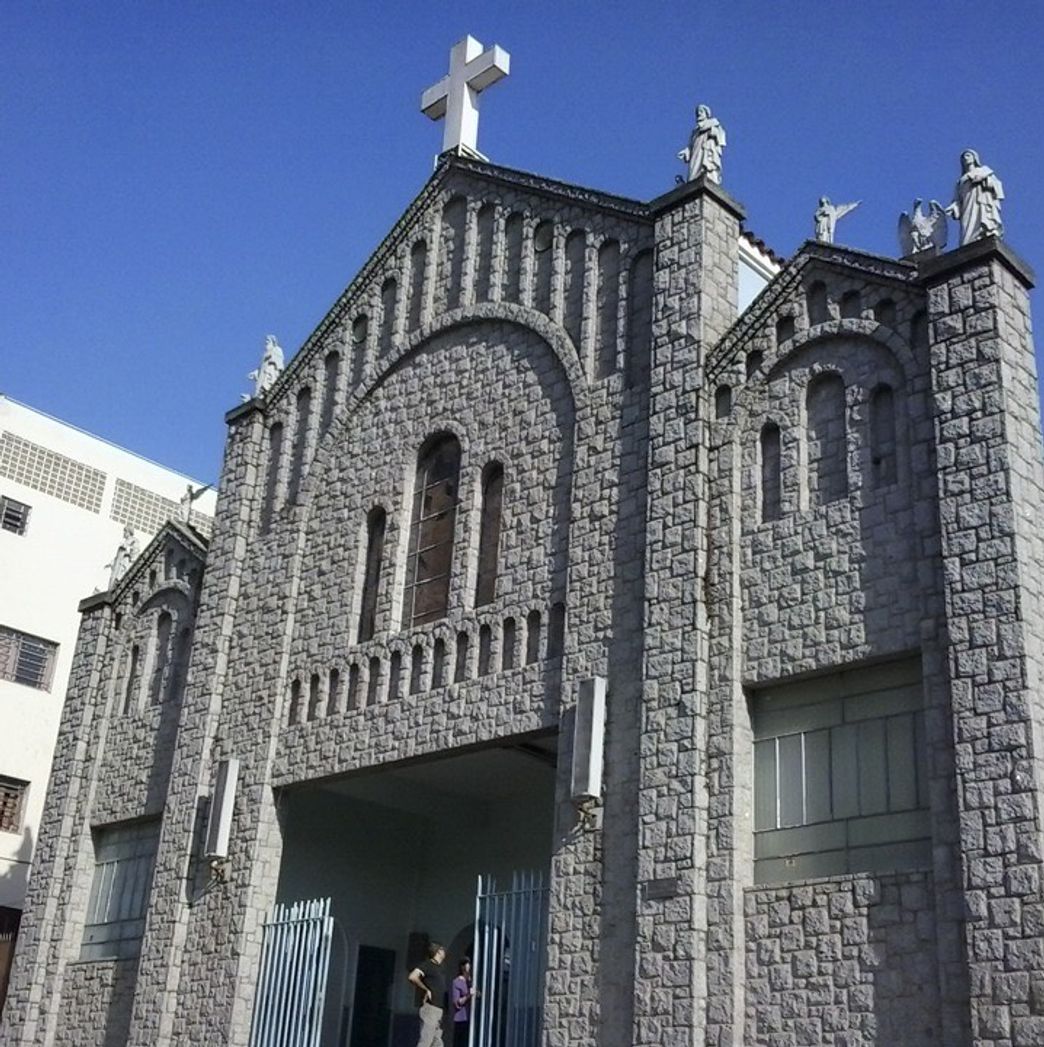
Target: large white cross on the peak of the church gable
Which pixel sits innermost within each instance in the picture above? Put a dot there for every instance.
(456, 97)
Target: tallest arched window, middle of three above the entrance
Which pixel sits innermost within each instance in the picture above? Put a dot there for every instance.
(431, 547)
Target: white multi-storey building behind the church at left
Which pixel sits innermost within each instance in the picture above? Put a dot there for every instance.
(65, 499)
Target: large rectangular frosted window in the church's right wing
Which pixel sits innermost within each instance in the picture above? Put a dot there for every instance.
(840, 782)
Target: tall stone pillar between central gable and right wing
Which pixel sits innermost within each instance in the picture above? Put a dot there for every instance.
(695, 303)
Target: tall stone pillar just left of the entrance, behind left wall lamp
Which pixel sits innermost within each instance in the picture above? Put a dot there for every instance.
(181, 877)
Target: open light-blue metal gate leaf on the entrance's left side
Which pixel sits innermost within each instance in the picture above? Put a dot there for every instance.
(293, 985)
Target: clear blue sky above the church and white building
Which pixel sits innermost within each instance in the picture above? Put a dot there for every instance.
(180, 180)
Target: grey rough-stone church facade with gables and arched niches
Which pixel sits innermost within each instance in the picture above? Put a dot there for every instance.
(718, 514)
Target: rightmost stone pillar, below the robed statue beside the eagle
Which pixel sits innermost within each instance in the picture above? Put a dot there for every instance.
(991, 489)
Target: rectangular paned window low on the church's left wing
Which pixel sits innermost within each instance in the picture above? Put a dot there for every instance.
(125, 857)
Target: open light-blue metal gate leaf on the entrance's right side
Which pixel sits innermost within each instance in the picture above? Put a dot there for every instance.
(508, 962)
